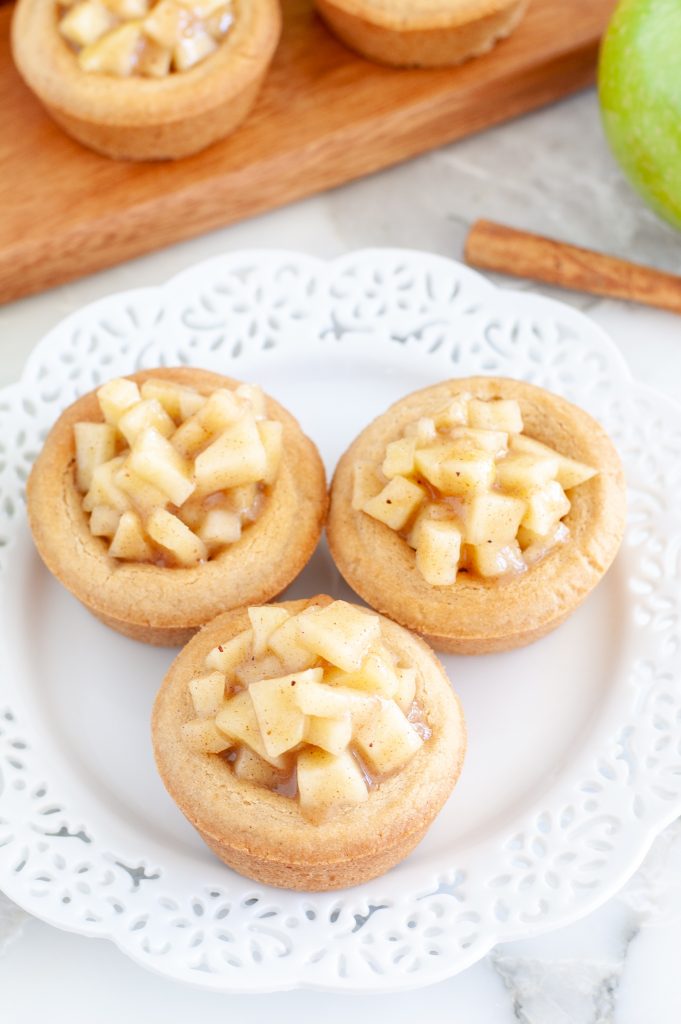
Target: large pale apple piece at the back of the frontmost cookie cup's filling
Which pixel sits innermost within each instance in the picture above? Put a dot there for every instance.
(340, 633)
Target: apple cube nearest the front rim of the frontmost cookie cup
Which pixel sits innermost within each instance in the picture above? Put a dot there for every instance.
(327, 782)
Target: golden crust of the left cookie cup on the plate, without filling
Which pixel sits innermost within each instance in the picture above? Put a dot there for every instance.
(166, 607)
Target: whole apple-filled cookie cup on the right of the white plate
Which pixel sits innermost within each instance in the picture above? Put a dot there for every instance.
(479, 513)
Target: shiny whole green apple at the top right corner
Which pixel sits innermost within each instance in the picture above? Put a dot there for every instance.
(640, 84)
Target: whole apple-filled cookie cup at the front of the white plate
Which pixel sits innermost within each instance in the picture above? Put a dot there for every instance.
(311, 743)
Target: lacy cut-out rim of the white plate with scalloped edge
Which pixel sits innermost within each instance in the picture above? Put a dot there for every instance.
(557, 862)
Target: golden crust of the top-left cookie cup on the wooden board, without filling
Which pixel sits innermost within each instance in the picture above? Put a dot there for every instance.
(147, 119)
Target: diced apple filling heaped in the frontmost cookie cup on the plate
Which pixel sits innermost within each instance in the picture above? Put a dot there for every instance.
(315, 703)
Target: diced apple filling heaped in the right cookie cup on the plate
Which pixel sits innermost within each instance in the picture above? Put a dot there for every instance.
(469, 491)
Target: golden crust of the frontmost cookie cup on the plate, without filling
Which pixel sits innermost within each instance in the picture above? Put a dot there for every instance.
(263, 835)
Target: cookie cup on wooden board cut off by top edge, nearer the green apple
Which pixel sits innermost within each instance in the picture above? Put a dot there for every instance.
(421, 33)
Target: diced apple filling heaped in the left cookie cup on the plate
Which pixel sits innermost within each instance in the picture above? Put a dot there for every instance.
(174, 477)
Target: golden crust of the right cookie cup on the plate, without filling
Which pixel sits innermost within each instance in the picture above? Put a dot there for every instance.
(477, 616)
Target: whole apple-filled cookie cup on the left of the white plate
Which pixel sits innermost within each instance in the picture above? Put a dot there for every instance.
(169, 496)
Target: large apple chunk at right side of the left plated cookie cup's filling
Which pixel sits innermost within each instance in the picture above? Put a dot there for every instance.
(237, 457)
